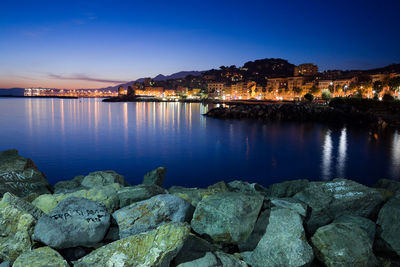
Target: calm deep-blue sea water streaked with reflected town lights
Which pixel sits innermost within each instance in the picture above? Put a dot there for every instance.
(68, 137)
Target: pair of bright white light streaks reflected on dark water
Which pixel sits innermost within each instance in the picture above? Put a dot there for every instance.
(328, 155)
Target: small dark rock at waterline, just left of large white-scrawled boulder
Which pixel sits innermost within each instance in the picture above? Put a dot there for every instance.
(287, 189)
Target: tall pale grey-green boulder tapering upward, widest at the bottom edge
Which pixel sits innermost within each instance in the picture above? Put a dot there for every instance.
(284, 242)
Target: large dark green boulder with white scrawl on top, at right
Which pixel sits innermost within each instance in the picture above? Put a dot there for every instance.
(329, 200)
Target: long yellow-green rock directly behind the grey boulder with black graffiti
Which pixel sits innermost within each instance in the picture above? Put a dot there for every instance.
(104, 194)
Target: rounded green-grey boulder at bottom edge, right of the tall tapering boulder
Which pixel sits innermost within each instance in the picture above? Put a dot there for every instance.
(343, 244)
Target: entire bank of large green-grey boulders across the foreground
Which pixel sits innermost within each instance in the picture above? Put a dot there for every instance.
(99, 219)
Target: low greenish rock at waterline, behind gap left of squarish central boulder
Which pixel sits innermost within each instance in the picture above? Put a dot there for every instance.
(195, 195)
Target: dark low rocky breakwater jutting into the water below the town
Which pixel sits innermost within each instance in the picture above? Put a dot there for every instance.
(296, 112)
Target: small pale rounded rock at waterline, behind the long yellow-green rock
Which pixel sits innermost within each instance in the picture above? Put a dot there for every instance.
(102, 178)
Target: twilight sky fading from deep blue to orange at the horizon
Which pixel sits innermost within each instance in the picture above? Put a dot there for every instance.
(93, 44)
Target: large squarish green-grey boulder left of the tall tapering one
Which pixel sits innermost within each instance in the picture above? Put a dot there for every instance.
(227, 217)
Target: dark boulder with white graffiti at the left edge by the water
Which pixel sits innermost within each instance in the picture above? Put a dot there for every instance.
(20, 176)
